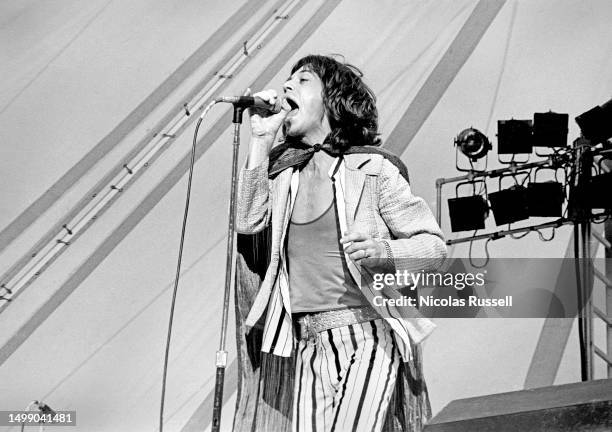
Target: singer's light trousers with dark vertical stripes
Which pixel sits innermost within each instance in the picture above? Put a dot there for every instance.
(344, 378)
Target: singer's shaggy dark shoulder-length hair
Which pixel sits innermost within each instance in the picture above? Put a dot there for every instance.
(350, 104)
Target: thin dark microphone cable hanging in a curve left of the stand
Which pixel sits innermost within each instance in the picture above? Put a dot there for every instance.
(179, 262)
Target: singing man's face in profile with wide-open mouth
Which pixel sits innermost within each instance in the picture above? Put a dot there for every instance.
(303, 92)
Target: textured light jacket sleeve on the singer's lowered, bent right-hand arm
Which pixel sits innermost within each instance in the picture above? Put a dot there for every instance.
(417, 240)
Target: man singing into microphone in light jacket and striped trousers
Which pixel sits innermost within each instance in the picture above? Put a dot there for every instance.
(339, 209)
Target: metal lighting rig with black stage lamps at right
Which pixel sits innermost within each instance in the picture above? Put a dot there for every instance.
(587, 167)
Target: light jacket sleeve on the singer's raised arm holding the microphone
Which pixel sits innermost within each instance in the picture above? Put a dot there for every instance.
(253, 206)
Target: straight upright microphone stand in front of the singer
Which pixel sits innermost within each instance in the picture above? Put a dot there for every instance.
(221, 356)
